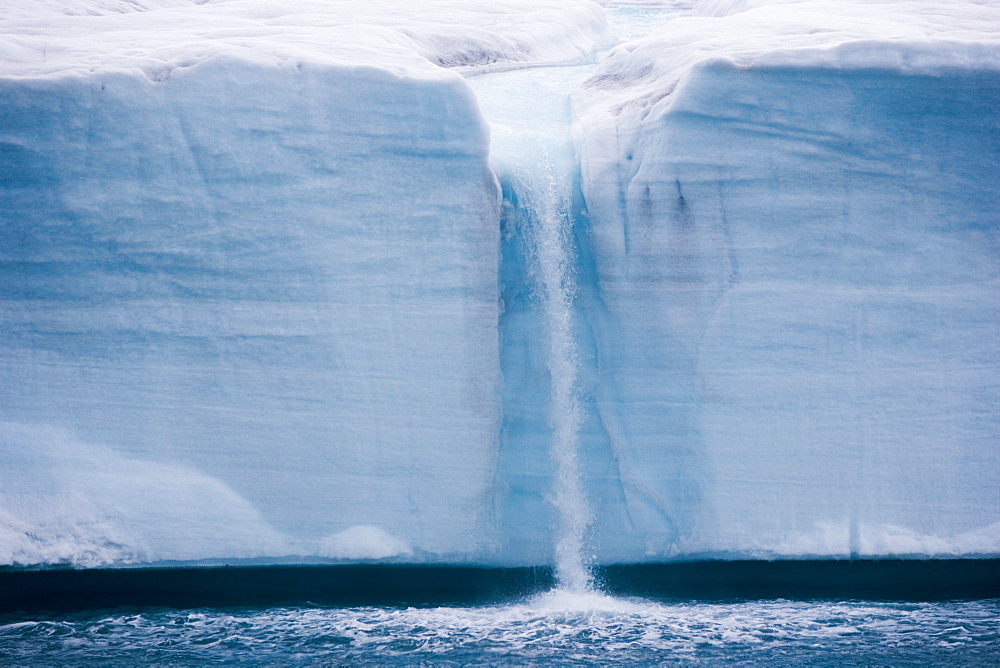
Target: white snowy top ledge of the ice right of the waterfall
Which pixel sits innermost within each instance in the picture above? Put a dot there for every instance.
(638, 79)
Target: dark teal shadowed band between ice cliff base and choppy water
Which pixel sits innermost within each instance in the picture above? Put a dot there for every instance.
(55, 590)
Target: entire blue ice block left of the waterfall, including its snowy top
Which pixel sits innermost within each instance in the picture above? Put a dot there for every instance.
(249, 276)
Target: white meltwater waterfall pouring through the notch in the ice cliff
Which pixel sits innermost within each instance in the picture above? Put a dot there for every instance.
(532, 154)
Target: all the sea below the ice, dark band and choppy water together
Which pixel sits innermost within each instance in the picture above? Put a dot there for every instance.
(828, 613)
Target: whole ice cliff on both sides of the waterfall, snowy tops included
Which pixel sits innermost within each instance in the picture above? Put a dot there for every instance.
(255, 300)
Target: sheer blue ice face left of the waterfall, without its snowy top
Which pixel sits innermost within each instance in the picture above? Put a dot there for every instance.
(289, 297)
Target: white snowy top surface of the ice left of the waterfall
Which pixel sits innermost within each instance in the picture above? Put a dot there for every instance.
(161, 36)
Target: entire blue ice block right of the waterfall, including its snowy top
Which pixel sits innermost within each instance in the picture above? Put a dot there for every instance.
(794, 214)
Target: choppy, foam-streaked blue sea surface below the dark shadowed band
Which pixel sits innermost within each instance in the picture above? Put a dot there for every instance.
(557, 628)
